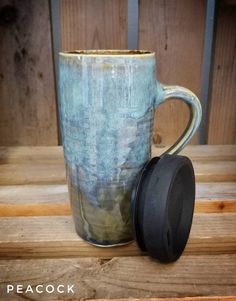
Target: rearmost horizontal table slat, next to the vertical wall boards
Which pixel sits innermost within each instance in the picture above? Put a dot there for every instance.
(27, 155)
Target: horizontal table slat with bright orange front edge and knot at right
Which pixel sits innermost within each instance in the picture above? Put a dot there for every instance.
(49, 200)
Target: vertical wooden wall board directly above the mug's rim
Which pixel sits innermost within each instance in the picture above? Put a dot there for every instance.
(88, 24)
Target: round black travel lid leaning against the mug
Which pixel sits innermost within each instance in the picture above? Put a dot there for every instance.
(162, 206)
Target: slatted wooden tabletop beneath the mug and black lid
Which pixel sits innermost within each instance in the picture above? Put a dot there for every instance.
(38, 244)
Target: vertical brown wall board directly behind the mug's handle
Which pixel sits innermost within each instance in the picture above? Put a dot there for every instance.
(175, 31)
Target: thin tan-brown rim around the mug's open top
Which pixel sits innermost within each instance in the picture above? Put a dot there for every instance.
(108, 52)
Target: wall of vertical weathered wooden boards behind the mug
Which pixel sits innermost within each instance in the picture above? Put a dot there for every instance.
(174, 29)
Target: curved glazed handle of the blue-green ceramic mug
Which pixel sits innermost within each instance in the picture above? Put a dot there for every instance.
(164, 93)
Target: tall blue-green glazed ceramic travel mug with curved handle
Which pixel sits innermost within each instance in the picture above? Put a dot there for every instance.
(107, 100)
